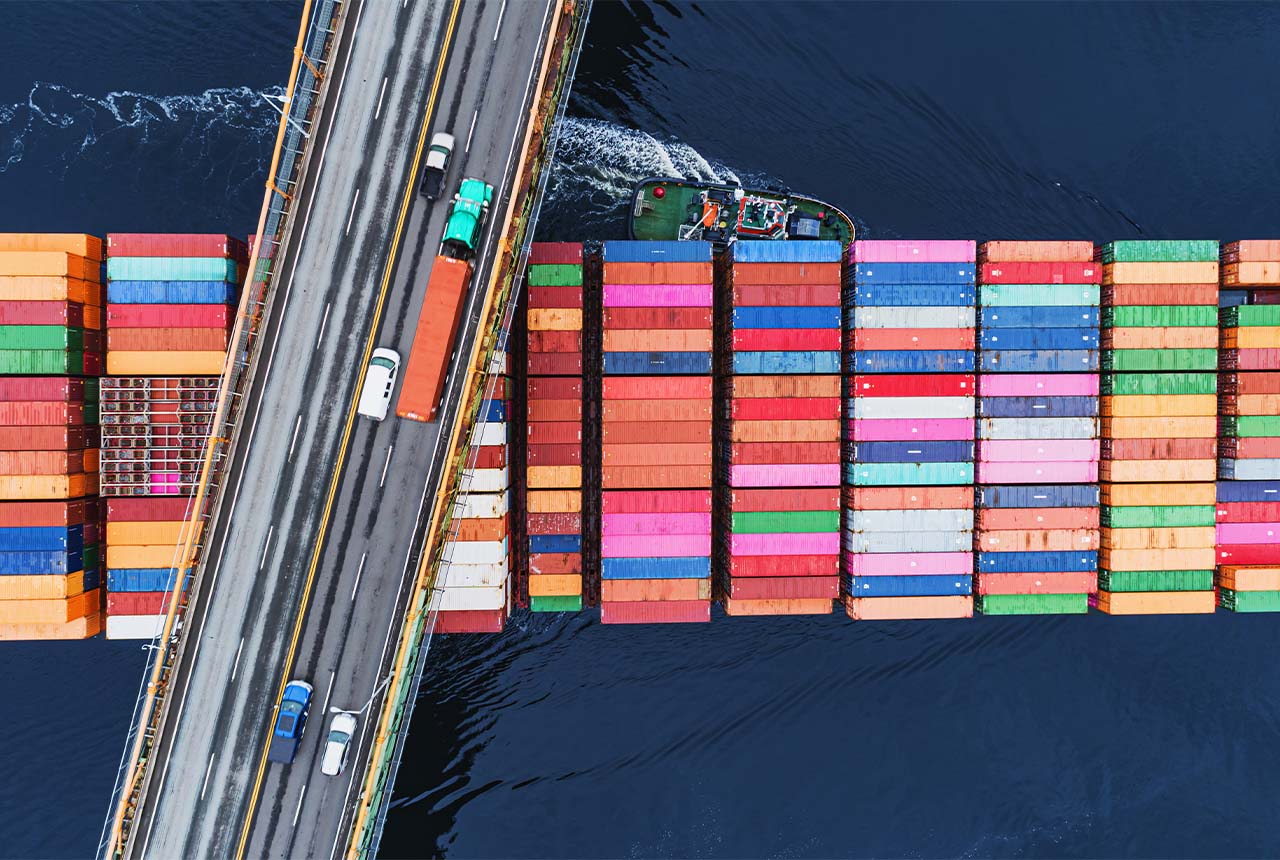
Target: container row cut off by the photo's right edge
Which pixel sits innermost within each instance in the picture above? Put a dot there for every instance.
(1249, 488)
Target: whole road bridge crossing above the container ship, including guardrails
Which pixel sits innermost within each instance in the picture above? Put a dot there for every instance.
(314, 538)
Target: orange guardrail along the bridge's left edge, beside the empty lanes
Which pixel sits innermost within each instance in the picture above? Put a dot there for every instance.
(318, 33)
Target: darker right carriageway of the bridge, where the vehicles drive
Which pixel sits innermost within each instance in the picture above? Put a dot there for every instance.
(390, 478)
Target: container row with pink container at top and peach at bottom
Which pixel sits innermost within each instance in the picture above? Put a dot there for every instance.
(911, 431)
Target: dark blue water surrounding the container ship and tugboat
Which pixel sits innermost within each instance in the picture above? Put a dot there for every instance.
(751, 738)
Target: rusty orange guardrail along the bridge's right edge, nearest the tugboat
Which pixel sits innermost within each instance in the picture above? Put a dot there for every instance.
(560, 62)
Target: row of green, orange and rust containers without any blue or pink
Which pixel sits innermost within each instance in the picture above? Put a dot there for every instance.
(1159, 427)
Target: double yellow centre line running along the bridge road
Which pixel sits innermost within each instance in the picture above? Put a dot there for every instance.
(351, 417)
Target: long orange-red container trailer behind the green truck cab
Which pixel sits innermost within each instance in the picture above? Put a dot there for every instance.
(428, 365)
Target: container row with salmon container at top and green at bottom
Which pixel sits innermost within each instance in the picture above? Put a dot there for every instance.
(1039, 359)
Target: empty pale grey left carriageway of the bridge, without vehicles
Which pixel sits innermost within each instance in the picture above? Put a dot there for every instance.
(298, 411)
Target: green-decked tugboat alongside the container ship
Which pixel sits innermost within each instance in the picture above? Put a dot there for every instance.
(666, 209)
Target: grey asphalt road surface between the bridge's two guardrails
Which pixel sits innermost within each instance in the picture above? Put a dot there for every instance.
(207, 788)
